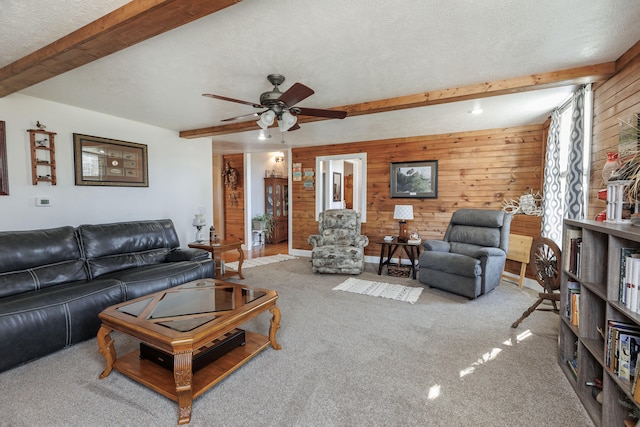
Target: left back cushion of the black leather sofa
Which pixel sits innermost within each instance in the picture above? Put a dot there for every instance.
(37, 259)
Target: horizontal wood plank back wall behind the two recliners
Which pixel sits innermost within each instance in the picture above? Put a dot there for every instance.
(476, 169)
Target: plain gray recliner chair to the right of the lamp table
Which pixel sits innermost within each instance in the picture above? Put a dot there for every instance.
(470, 258)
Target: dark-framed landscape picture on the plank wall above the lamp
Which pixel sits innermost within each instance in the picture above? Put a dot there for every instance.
(417, 179)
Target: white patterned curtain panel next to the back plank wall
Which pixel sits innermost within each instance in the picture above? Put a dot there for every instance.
(551, 201)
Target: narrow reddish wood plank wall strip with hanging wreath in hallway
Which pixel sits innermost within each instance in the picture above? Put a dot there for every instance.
(234, 208)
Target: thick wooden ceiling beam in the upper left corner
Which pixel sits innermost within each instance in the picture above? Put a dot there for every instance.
(132, 23)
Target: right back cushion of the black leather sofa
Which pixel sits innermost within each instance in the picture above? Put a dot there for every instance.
(124, 245)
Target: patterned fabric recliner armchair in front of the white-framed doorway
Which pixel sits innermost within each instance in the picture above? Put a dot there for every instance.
(338, 247)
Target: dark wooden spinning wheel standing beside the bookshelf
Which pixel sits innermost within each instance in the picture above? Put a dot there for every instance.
(546, 261)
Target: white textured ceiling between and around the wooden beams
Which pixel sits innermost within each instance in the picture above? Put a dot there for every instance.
(347, 51)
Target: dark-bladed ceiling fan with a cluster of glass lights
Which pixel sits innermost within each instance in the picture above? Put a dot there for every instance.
(281, 105)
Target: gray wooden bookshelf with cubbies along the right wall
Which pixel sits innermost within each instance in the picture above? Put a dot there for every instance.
(598, 277)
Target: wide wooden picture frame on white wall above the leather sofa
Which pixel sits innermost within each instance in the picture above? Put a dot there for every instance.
(109, 162)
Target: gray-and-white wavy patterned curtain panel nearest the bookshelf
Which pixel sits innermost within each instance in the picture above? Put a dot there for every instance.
(574, 195)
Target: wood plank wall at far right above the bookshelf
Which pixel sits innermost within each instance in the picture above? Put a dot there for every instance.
(614, 99)
